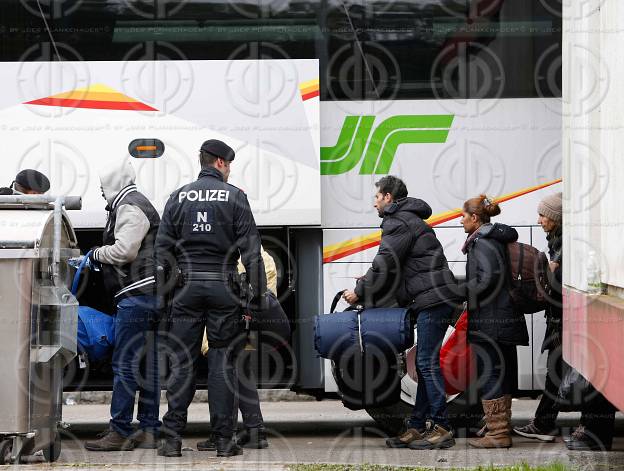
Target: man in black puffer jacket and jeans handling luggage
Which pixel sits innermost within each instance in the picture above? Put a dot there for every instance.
(410, 265)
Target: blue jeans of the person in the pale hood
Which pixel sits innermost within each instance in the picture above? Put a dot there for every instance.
(135, 365)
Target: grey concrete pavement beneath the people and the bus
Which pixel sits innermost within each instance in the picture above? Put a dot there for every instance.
(318, 432)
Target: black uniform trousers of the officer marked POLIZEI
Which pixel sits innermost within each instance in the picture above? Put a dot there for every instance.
(199, 305)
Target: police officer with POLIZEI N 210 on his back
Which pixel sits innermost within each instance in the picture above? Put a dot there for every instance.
(206, 226)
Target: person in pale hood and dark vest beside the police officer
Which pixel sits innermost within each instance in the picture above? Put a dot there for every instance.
(127, 261)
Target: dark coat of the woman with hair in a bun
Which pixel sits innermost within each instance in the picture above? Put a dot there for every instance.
(491, 315)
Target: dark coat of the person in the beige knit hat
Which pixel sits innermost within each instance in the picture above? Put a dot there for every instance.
(554, 312)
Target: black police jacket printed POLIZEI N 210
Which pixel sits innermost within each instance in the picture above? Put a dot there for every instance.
(205, 227)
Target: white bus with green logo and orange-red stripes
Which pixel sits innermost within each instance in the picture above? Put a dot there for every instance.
(320, 98)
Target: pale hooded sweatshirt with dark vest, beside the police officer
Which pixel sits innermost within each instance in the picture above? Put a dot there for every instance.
(127, 253)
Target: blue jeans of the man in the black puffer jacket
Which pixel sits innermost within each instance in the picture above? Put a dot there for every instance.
(431, 326)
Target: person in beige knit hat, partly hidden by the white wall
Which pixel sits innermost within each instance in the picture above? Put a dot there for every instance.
(543, 426)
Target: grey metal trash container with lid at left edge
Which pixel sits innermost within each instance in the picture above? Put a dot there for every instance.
(38, 322)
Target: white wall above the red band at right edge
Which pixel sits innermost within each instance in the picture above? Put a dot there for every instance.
(593, 110)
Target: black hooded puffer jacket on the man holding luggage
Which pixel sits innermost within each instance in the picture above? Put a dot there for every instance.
(410, 264)
